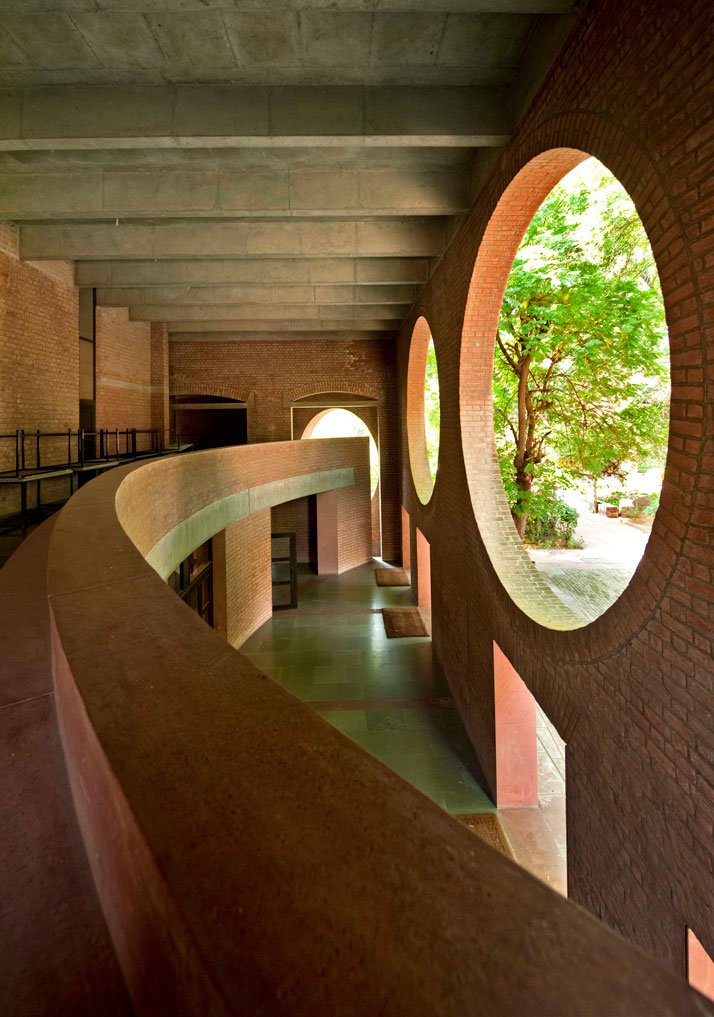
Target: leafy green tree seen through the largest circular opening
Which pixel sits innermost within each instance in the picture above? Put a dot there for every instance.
(581, 364)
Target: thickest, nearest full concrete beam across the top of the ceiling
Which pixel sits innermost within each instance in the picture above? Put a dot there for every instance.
(214, 116)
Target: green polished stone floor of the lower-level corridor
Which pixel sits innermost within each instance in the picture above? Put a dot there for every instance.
(333, 653)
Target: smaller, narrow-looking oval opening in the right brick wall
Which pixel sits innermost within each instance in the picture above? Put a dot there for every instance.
(424, 410)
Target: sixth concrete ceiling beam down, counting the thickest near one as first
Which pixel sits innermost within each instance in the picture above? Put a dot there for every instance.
(270, 313)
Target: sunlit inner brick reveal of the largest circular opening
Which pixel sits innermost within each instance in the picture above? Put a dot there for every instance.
(527, 588)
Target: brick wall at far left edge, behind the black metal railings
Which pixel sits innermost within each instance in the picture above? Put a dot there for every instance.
(39, 357)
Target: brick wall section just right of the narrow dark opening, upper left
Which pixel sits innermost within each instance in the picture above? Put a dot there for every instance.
(124, 371)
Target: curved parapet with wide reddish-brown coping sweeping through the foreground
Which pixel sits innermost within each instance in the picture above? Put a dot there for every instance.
(249, 858)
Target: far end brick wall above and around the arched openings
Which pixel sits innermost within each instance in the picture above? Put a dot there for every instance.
(278, 374)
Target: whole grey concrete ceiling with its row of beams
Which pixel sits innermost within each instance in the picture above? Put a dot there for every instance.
(244, 172)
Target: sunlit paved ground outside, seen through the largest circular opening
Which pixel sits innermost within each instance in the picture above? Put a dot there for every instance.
(591, 579)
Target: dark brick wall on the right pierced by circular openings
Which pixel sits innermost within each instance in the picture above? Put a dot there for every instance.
(632, 693)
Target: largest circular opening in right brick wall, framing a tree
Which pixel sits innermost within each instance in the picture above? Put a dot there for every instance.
(566, 369)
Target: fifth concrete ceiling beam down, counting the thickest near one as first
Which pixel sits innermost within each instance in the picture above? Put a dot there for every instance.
(213, 295)
